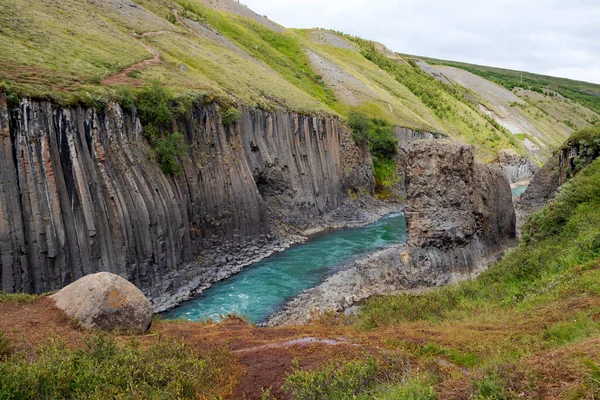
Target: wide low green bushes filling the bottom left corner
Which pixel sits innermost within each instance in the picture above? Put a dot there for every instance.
(105, 370)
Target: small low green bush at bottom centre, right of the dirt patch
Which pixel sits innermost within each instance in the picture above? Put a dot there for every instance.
(334, 381)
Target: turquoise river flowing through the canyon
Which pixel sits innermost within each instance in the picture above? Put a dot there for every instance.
(264, 287)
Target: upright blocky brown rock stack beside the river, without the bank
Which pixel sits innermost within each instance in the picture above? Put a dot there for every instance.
(458, 211)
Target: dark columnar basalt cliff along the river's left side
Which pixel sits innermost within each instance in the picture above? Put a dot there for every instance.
(80, 192)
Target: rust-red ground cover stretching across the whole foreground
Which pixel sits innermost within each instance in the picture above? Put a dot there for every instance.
(266, 355)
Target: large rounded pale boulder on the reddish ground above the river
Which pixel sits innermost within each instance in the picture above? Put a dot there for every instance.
(105, 301)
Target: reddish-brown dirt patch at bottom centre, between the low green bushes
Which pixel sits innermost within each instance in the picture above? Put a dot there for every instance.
(267, 354)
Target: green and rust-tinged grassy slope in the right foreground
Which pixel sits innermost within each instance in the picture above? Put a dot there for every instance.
(543, 298)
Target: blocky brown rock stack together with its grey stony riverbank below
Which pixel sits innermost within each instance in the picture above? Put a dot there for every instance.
(459, 216)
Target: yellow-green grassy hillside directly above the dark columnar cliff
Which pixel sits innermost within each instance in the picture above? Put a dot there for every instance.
(245, 62)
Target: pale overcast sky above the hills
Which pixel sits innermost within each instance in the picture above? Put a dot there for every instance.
(552, 37)
